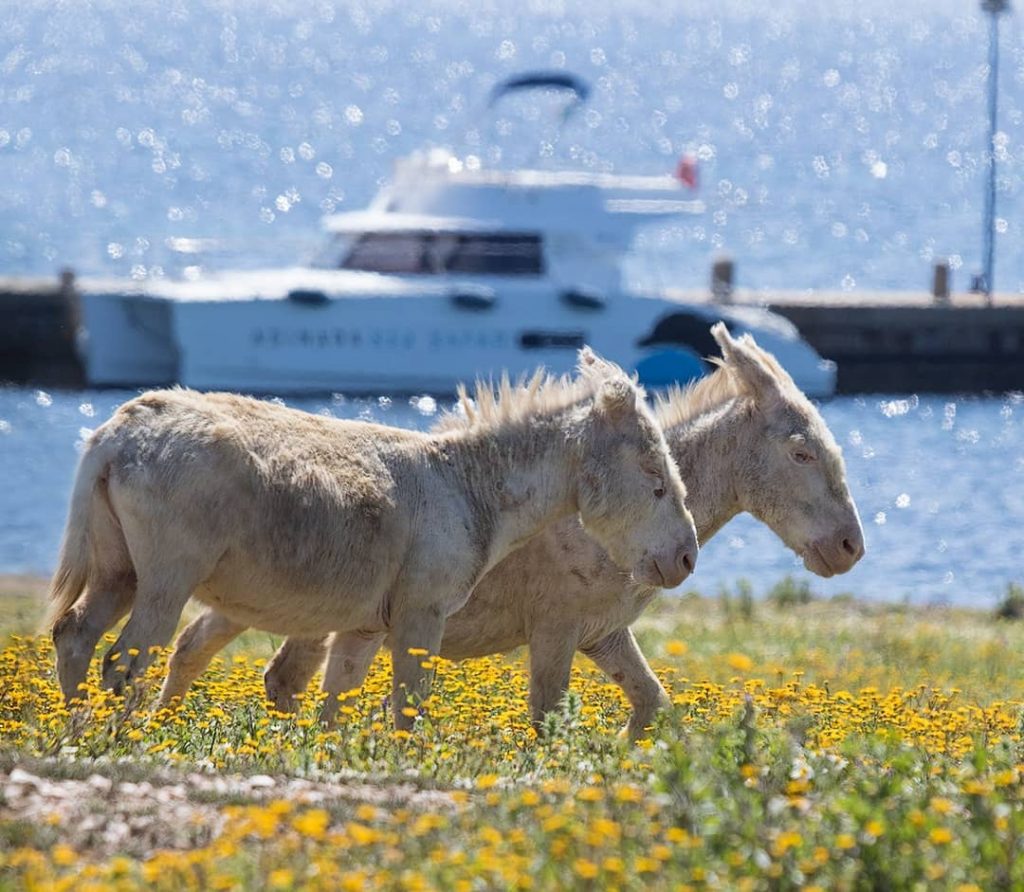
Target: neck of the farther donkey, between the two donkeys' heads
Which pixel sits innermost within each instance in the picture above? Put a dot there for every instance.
(706, 450)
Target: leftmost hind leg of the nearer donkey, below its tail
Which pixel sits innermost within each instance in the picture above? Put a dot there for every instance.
(77, 633)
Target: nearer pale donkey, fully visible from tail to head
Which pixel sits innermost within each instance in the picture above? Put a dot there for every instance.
(298, 524)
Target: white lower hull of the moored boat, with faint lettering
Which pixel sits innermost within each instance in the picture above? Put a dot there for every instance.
(423, 339)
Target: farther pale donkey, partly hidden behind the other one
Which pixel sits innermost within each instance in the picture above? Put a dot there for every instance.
(745, 439)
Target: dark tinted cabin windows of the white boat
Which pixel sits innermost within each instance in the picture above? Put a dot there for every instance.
(439, 253)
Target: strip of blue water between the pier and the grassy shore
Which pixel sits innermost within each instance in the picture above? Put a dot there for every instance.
(940, 484)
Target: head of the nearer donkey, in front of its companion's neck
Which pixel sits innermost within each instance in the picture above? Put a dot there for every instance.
(631, 498)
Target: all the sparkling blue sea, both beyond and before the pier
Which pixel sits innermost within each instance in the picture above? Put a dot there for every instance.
(841, 147)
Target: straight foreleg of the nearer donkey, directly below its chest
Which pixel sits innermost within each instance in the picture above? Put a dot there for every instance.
(418, 629)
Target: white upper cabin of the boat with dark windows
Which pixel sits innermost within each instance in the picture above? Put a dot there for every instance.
(441, 218)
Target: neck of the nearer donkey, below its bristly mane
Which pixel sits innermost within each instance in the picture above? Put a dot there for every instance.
(518, 480)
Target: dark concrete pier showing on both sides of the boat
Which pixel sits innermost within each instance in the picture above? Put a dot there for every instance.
(881, 342)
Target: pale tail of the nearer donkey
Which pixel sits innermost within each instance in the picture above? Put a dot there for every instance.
(90, 515)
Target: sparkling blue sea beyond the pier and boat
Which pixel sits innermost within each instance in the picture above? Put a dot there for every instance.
(841, 147)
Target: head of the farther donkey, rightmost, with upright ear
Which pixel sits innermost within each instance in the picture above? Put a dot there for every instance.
(792, 476)
